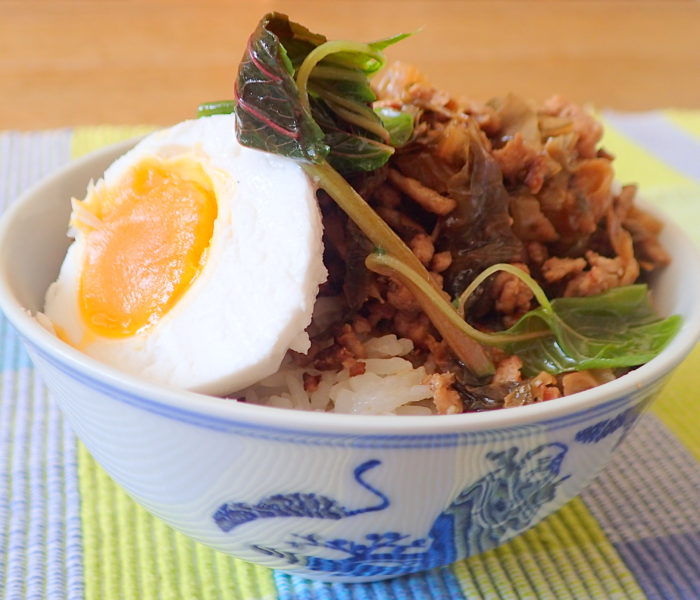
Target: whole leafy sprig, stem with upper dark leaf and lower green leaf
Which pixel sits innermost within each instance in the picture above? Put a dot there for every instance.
(306, 98)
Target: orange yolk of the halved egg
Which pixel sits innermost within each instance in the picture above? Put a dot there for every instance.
(145, 245)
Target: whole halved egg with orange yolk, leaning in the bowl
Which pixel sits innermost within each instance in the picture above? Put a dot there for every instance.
(196, 261)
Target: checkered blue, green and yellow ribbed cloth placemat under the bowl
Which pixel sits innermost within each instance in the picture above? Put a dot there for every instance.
(67, 531)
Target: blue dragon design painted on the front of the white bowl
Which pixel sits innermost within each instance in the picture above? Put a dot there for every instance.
(486, 513)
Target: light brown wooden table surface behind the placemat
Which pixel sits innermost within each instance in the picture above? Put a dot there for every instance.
(66, 62)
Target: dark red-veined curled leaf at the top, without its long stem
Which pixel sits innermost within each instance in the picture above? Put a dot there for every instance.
(307, 98)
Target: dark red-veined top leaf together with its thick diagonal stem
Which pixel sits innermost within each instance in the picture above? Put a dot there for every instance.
(306, 98)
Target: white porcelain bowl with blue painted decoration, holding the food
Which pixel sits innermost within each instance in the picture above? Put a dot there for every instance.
(334, 497)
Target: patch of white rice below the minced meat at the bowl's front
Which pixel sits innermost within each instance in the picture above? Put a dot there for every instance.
(389, 385)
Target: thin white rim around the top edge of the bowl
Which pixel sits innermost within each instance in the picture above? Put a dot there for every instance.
(288, 420)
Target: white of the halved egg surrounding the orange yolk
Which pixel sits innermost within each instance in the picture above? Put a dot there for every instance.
(254, 296)
